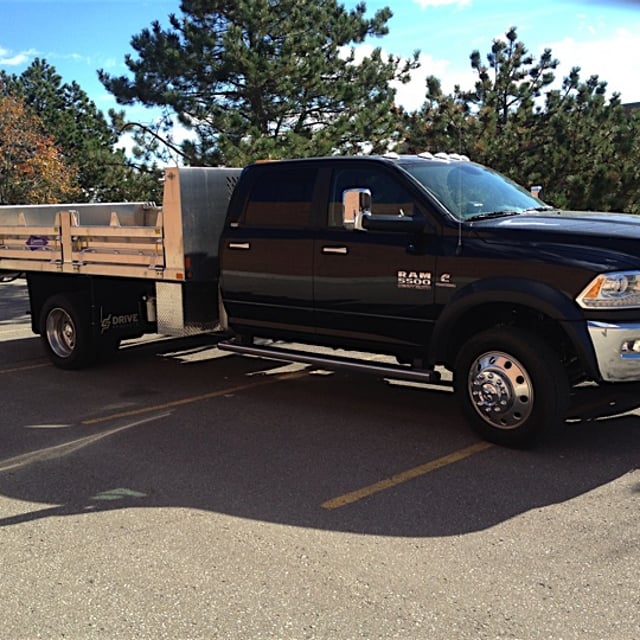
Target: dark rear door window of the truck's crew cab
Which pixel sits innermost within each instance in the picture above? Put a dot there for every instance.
(280, 197)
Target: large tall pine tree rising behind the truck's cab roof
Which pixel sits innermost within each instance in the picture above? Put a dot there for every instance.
(266, 78)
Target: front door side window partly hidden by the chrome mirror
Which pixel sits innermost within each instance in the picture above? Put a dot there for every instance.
(388, 196)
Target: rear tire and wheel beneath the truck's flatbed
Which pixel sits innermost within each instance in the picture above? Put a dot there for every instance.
(65, 330)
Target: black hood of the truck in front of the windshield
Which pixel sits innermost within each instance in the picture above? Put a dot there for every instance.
(605, 240)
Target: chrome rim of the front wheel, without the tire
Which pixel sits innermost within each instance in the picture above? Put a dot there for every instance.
(500, 389)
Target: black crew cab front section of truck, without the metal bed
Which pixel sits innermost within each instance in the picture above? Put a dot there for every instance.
(437, 262)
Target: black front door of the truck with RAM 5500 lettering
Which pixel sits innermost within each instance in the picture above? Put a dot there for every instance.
(375, 286)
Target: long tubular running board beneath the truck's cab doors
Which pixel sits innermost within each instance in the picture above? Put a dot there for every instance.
(397, 372)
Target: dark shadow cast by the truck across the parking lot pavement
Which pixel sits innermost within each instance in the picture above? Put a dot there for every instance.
(198, 429)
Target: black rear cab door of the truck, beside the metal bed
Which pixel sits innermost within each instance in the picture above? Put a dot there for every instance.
(267, 253)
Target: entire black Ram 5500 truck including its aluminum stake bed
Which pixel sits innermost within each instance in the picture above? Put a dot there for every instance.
(434, 261)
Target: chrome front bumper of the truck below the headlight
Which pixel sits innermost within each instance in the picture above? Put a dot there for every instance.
(617, 348)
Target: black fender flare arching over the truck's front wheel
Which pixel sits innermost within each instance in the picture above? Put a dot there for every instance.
(491, 315)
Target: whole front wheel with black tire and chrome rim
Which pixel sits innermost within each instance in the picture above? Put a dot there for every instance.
(511, 386)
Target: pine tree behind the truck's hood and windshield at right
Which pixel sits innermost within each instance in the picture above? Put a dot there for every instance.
(579, 146)
